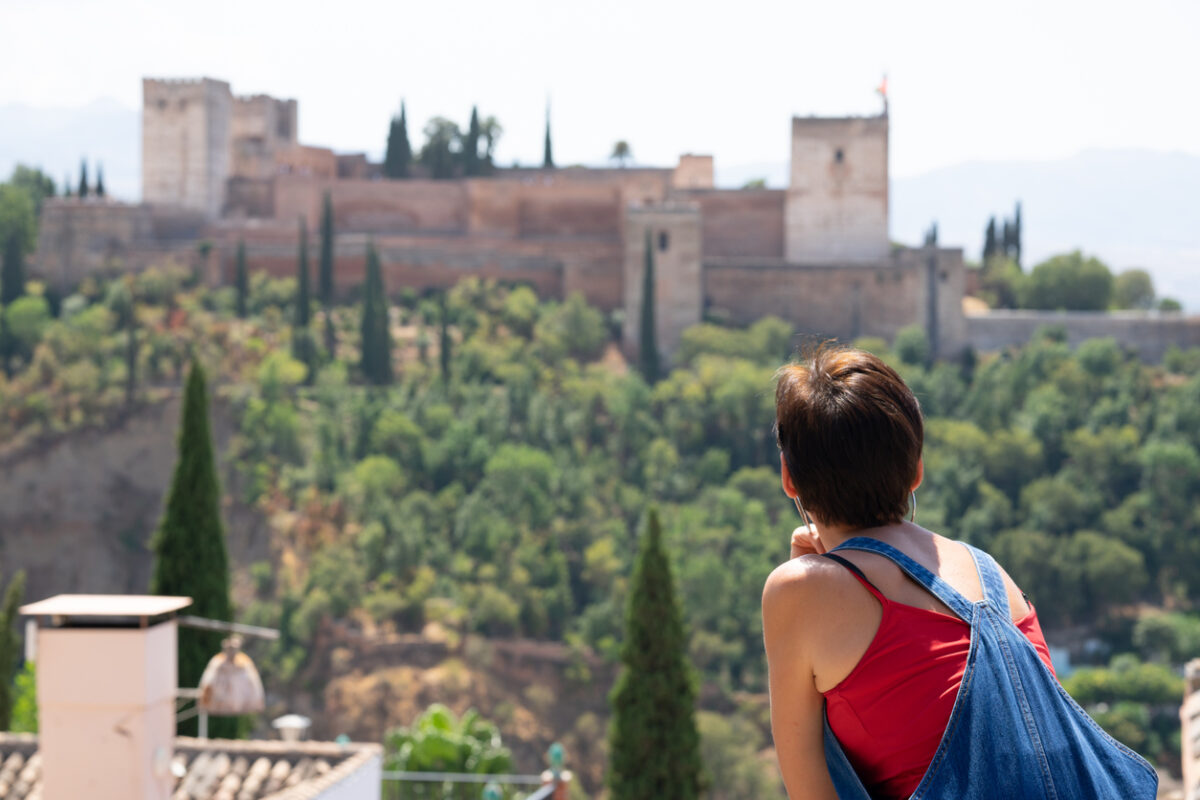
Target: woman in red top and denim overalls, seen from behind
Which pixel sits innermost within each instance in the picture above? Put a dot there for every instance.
(905, 665)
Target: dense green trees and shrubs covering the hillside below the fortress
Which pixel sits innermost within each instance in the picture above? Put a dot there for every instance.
(496, 486)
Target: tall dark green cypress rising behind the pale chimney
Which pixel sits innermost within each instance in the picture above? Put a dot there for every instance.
(189, 548)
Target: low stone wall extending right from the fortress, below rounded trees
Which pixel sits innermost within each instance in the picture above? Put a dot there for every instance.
(1148, 333)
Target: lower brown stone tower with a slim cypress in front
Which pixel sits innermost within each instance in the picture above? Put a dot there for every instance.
(679, 280)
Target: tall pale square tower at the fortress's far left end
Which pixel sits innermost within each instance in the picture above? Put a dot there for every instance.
(187, 128)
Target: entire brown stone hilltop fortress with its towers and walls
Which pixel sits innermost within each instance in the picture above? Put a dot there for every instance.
(230, 170)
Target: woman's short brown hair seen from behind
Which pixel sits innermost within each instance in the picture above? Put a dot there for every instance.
(851, 434)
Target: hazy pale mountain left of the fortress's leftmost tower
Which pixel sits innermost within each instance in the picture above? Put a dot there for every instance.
(57, 140)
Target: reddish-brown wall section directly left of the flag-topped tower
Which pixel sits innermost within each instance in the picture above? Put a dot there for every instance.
(747, 224)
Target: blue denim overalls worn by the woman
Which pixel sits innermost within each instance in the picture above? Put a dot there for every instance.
(1015, 733)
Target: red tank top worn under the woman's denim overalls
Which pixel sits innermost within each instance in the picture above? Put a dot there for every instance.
(891, 712)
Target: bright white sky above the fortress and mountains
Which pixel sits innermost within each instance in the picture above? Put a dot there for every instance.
(968, 81)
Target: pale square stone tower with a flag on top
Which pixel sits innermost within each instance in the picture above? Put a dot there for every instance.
(838, 200)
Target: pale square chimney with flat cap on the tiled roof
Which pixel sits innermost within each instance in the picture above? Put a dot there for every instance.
(106, 695)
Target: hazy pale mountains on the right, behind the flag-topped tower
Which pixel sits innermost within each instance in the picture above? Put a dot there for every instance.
(1131, 208)
